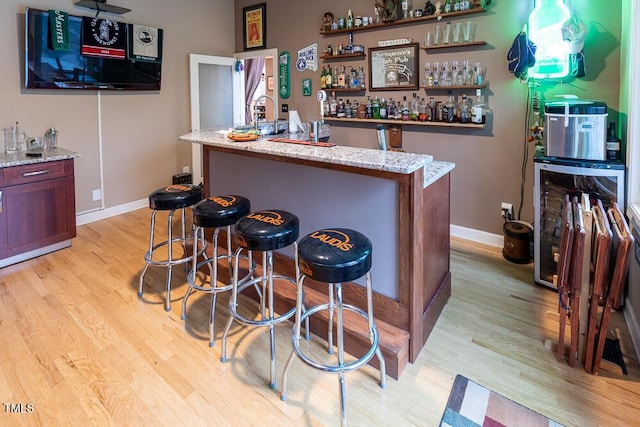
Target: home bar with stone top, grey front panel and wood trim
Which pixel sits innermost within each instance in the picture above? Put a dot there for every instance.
(400, 201)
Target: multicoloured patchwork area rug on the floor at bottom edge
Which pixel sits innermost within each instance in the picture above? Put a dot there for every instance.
(472, 405)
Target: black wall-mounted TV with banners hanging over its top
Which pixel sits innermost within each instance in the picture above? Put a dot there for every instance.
(49, 68)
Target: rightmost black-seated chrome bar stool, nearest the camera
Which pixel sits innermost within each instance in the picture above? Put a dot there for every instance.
(334, 256)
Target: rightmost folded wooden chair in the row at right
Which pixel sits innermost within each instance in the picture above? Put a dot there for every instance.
(624, 240)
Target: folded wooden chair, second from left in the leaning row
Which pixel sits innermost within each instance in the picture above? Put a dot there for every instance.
(575, 279)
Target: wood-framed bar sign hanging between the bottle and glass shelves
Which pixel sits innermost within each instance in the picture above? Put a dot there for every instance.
(394, 67)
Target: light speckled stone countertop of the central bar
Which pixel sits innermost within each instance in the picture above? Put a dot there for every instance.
(366, 158)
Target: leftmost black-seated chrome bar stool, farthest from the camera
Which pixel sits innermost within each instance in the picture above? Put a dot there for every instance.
(169, 199)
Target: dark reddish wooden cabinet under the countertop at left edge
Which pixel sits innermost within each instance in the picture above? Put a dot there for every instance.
(37, 207)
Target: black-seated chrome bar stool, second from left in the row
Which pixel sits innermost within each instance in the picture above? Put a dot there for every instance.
(217, 212)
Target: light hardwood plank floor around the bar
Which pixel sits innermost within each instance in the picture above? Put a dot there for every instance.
(78, 347)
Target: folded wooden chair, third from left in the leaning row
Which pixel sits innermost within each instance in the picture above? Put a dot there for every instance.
(601, 246)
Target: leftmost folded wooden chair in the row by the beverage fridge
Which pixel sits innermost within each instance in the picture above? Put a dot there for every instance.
(562, 272)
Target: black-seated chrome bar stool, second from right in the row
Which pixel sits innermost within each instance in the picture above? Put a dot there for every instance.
(262, 231)
